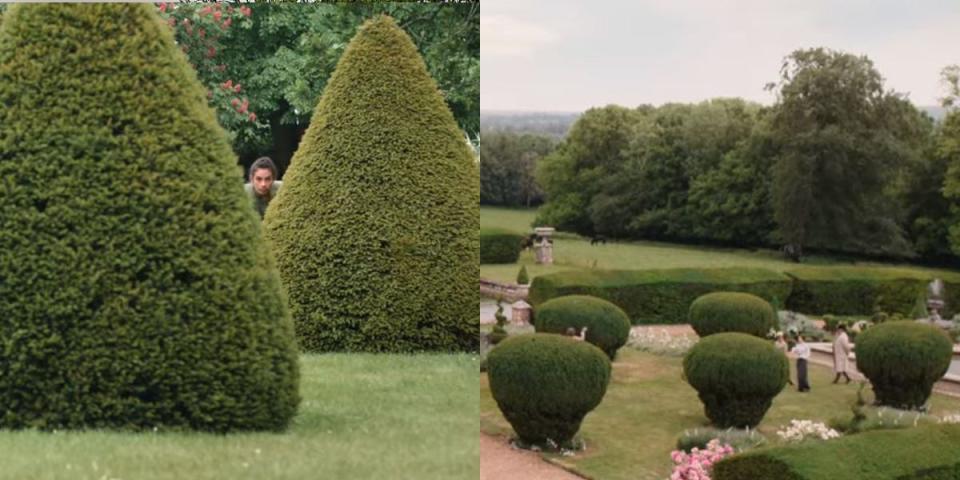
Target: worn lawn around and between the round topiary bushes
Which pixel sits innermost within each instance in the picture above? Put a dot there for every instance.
(648, 405)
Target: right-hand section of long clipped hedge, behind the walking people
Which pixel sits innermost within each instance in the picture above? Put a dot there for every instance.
(856, 290)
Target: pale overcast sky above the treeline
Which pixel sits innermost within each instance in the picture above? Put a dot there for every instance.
(570, 55)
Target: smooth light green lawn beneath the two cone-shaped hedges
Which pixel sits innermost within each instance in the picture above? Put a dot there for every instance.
(362, 416)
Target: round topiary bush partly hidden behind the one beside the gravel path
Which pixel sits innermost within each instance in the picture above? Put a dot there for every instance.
(607, 325)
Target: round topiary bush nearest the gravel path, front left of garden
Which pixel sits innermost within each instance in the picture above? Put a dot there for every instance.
(545, 384)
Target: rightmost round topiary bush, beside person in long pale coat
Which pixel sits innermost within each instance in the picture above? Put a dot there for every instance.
(903, 360)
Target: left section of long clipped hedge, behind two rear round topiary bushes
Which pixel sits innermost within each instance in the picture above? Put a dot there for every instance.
(658, 296)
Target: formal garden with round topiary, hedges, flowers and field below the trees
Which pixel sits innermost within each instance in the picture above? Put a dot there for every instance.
(647, 402)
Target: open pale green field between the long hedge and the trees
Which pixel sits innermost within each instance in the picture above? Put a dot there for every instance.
(572, 252)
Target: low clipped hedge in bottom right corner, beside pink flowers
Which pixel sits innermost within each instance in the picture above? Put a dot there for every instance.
(926, 452)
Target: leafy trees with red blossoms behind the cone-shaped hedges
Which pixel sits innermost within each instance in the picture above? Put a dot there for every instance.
(283, 55)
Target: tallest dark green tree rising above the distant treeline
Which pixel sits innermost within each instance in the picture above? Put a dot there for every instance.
(840, 147)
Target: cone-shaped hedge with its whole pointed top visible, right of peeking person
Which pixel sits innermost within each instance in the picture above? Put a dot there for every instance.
(376, 228)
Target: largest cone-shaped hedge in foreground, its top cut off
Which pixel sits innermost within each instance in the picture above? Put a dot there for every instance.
(135, 288)
